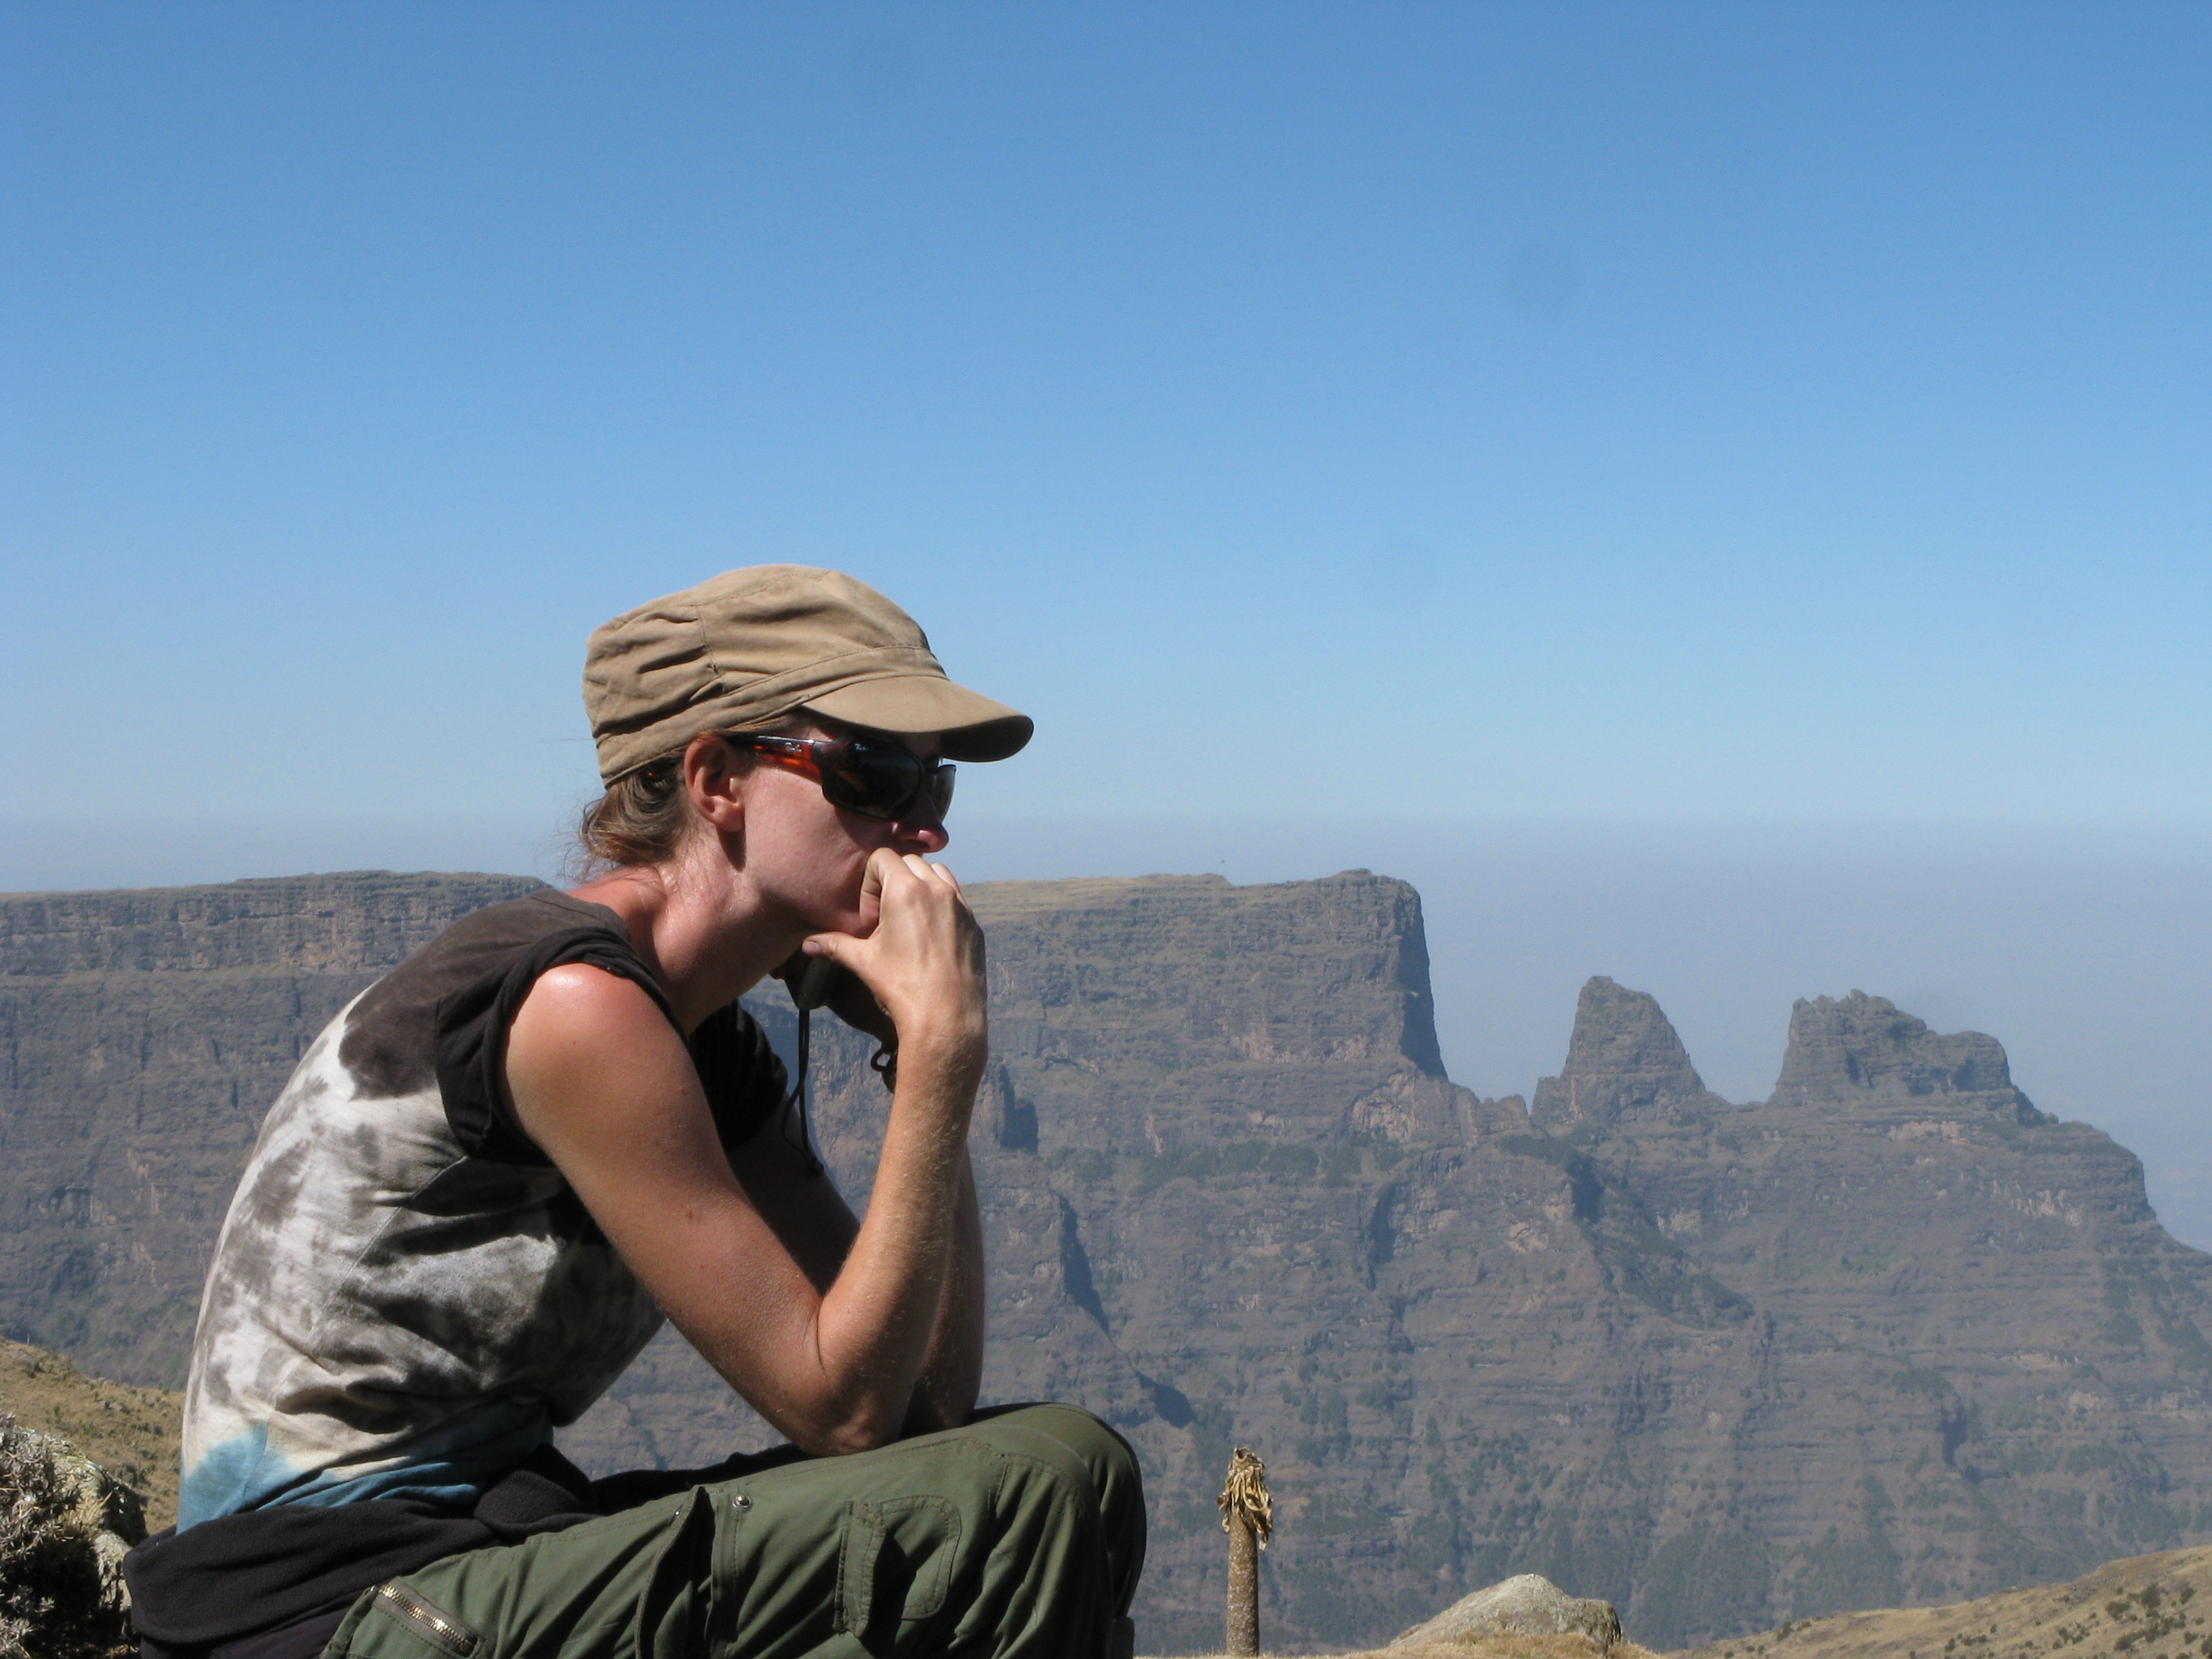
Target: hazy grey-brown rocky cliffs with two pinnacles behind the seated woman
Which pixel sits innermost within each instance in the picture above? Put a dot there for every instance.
(1890, 1337)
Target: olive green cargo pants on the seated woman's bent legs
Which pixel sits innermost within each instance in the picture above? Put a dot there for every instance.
(1021, 1534)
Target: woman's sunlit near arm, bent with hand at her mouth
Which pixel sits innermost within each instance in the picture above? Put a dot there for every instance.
(603, 1083)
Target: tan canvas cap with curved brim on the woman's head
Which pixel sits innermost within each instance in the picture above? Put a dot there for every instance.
(749, 647)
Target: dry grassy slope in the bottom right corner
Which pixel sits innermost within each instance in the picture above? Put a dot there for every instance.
(2147, 1607)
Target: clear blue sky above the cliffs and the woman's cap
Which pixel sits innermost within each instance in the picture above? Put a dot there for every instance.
(1550, 452)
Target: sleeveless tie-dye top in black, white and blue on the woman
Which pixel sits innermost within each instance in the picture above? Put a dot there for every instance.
(406, 1295)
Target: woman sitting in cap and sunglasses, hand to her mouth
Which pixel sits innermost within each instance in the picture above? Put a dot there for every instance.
(510, 1158)
